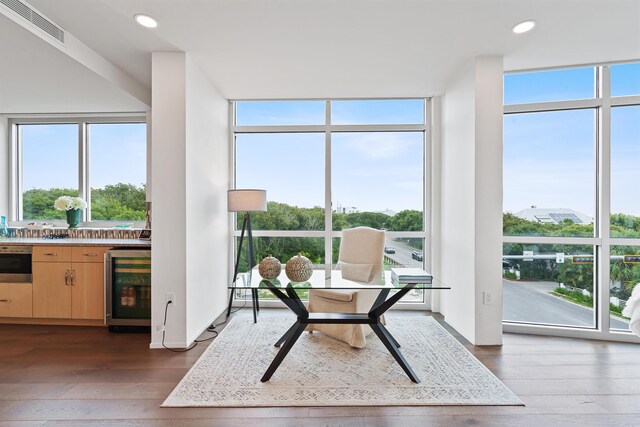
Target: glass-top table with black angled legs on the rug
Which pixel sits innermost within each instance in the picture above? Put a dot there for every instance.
(354, 277)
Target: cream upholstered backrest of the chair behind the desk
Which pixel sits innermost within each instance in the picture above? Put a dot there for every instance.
(362, 245)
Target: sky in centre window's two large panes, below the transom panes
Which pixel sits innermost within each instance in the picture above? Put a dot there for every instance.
(370, 171)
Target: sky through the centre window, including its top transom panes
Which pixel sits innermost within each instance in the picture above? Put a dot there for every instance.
(370, 171)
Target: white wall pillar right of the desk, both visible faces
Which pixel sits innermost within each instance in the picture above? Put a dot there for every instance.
(471, 200)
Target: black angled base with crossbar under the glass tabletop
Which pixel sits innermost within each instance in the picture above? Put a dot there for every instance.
(372, 318)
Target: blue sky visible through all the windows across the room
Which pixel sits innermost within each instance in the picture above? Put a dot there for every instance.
(549, 157)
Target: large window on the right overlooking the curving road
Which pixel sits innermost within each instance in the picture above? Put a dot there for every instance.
(571, 207)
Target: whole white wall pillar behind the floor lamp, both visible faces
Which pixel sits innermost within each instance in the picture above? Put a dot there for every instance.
(190, 179)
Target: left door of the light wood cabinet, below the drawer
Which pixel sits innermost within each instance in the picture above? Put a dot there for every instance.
(51, 290)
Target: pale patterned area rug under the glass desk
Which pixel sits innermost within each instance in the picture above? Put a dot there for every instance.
(321, 371)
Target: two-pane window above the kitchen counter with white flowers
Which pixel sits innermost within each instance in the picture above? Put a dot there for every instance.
(103, 161)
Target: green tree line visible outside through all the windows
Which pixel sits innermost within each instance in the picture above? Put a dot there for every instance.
(127, 202)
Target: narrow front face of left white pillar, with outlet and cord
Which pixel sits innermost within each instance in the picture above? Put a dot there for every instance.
(168, 162)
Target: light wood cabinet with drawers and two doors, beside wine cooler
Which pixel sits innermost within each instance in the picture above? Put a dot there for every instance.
(68, 282)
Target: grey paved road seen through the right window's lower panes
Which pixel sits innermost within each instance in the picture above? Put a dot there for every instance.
(530, 302)
